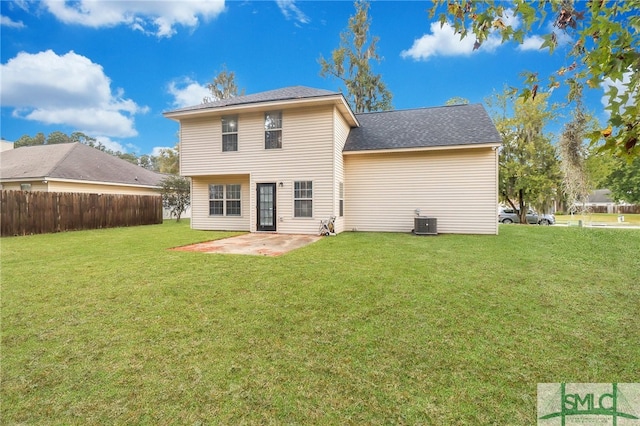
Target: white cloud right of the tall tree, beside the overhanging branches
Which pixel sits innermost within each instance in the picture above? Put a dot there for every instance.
(443, 41)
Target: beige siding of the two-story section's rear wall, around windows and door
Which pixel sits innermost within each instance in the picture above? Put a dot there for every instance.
(307, 153)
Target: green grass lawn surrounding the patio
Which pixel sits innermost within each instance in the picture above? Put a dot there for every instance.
(111, 327)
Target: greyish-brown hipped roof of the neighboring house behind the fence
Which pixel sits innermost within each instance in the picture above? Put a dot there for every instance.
(73, 161)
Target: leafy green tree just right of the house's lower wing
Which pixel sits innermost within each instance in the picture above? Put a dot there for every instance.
(529, 171)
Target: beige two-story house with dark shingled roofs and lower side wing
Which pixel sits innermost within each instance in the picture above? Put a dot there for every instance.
(282, 160)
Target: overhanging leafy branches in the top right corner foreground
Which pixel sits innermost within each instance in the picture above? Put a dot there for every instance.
(605, 51)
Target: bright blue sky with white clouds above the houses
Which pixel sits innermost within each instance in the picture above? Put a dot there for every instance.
(111, 68)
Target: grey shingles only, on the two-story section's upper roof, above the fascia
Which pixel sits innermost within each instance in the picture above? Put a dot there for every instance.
(287, 93)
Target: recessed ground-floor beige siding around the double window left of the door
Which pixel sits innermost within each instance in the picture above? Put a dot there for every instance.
(200, 218)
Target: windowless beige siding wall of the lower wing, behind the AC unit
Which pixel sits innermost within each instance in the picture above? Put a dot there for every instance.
(458, 187)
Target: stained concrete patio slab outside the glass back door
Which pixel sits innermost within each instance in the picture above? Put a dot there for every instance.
(253, 244)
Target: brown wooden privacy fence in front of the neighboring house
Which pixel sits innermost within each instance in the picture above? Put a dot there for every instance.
(23, 213)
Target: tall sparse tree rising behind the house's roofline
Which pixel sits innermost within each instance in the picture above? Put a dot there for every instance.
(351, 63)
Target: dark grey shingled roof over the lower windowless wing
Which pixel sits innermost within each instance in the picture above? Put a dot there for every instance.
(423, 128)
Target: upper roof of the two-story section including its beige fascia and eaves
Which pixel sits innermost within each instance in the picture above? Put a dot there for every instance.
(278, 97)
